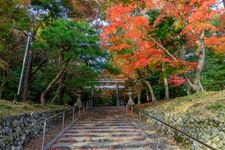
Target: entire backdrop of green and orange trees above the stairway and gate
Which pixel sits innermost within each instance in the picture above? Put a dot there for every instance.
(162, 48)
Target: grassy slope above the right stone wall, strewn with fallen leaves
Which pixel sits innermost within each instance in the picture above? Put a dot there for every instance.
(209, 103)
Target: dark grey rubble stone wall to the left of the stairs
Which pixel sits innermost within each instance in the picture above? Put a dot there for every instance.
(18, 130)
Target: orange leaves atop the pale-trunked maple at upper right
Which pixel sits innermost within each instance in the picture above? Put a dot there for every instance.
(195, 14)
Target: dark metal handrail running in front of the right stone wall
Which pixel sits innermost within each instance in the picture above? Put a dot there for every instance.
(190, 137)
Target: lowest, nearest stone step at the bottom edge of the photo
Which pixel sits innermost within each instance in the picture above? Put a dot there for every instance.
(106, 145)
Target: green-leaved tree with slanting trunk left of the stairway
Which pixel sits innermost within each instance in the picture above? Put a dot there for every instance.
(67, 43)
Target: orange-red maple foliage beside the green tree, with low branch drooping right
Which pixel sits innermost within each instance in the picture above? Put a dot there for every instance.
(128, 32)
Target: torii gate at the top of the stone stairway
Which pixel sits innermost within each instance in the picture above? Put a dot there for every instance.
(114, 85)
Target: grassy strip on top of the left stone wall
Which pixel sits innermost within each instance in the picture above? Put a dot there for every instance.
(8, 108)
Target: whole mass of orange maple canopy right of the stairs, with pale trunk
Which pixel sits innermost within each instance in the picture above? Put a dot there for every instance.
(131, 38)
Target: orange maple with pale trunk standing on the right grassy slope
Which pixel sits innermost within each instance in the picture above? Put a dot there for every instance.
(194, 16)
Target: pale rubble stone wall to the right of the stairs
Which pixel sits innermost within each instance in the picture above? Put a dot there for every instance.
(209, 130)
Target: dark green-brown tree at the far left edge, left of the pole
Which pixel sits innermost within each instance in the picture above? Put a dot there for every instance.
(13, 22)
